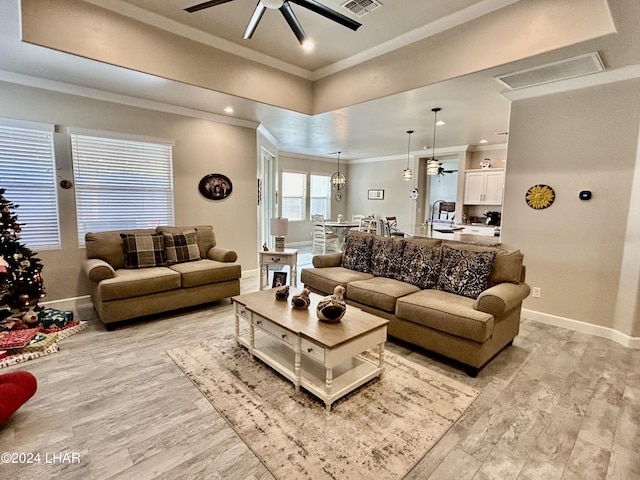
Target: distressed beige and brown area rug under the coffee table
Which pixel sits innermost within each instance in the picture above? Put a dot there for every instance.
(379, 431)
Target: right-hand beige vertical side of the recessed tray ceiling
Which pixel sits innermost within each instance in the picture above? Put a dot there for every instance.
(521, 30)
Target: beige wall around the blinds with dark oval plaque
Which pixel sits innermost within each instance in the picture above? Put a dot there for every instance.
(201, 147)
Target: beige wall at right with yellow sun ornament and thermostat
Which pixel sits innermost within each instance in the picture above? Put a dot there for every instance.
(577, 251)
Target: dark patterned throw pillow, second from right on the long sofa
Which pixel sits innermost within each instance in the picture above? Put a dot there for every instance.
(421, 265)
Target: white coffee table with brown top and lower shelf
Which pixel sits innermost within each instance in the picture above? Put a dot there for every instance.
(323, 358)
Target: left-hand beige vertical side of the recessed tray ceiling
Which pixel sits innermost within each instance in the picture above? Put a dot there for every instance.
(86, 30)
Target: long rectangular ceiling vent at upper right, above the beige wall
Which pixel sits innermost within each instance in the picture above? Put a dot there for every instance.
(552, 72)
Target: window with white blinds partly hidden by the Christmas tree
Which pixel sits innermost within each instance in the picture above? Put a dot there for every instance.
(28, 174)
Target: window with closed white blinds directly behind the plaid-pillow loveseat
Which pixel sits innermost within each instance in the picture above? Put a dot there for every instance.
(121, 183)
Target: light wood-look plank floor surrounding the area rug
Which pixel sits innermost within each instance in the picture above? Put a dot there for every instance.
(556, 405)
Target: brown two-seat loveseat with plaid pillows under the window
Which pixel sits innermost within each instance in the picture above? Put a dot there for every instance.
(140, 272)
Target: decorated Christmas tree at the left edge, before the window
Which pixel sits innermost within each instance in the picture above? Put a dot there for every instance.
(20, 279)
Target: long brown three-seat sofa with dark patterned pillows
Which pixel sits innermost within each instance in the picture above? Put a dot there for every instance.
(459, 300)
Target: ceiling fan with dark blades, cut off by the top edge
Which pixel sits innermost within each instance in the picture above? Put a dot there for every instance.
(287, 13)
